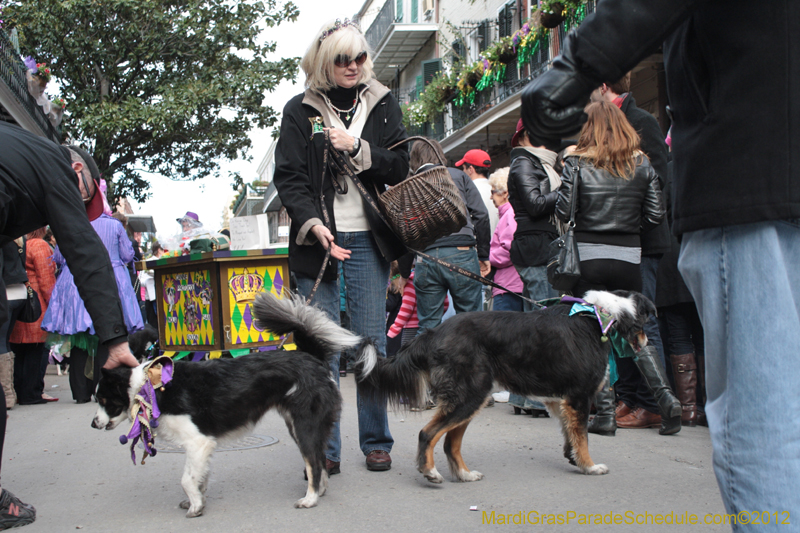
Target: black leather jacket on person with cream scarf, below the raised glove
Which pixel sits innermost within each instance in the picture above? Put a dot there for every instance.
(529, 193)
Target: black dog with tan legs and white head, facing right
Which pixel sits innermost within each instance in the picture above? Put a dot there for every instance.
(561, 359)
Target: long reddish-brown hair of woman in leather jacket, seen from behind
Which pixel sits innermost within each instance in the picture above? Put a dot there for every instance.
(608, 141)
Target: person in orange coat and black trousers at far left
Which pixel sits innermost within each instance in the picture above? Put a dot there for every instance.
(27, 340)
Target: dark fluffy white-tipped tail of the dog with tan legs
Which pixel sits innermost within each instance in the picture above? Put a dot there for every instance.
(402, 379)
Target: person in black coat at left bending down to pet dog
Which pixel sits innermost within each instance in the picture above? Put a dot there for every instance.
(42, 183)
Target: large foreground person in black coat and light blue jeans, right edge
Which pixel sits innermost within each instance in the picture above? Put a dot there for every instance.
(736, 205)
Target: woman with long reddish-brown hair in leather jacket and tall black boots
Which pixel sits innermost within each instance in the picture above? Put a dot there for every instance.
(618, 196)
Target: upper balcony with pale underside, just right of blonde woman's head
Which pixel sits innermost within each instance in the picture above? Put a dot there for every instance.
(395, 40)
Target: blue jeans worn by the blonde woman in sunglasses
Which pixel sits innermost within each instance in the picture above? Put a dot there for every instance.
(366, 276)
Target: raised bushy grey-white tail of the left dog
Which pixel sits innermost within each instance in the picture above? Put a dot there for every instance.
(314, 332)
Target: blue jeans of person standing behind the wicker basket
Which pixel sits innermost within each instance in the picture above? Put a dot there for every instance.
(432, 281)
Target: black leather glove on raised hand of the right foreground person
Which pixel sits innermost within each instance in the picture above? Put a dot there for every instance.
(552, 104)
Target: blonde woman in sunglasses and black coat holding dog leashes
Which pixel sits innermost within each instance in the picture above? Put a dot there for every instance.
(363, 120)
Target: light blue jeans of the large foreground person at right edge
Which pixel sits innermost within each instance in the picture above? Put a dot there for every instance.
(745, 281)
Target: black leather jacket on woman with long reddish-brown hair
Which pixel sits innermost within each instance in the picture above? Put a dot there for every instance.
(610, 205)
